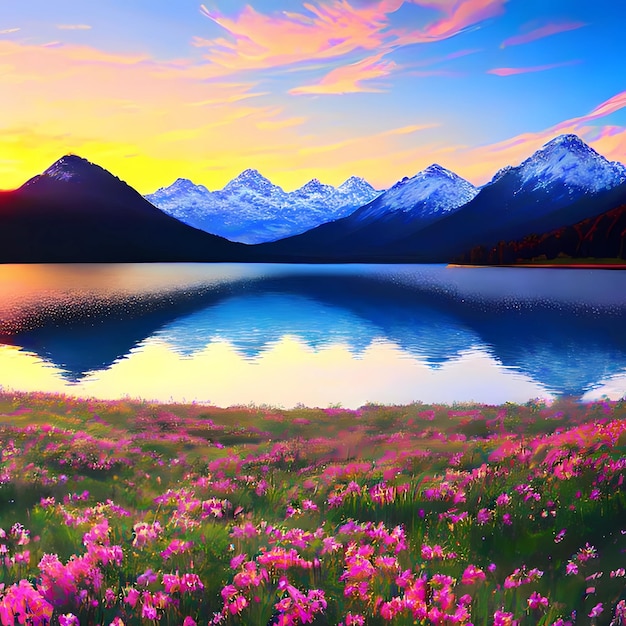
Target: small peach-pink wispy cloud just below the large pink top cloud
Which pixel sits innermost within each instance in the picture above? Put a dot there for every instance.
(352, 78)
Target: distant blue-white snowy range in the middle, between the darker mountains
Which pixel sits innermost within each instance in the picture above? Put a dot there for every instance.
(251, 209)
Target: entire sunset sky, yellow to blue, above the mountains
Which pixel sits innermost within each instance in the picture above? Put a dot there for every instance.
(162, 89)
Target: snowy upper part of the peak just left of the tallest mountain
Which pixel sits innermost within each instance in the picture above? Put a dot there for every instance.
(429, 194)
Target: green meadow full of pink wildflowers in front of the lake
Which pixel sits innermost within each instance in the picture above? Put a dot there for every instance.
(135, 513)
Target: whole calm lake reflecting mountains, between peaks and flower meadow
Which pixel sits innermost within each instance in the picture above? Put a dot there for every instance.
(313, 335)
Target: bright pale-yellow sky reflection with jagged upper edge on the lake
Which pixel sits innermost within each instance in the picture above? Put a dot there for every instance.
(286, 374)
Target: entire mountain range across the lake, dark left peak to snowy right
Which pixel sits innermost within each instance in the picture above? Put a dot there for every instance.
(78, 212)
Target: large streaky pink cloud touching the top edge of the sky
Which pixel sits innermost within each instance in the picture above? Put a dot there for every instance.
(331, 30)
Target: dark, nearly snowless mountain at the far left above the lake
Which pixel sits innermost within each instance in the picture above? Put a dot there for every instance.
(78, 212)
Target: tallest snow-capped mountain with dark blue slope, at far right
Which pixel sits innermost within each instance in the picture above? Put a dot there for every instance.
(562, 183)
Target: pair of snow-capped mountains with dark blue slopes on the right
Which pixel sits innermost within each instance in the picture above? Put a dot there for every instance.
(441, 216)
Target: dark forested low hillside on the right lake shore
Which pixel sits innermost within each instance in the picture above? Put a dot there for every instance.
(601, 237)
